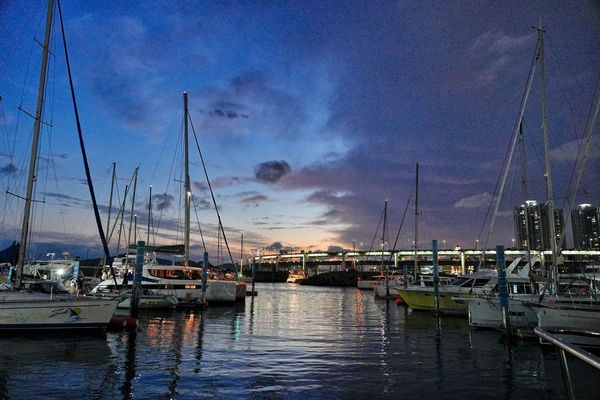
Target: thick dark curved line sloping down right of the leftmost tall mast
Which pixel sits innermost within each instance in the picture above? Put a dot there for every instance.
(82, 146)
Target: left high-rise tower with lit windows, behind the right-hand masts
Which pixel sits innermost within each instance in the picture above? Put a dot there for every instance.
(533, 217)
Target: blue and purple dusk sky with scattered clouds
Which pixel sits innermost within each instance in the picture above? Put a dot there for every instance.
(309, 115)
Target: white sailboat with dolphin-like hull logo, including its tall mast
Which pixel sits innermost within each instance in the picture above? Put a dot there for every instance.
(38, 304)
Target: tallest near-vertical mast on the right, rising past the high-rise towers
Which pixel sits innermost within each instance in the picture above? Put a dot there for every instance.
(547, 170)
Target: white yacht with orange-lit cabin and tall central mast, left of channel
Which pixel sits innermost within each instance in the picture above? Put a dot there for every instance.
(181, 279)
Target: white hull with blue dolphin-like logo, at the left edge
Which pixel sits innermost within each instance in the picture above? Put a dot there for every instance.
(24, 311)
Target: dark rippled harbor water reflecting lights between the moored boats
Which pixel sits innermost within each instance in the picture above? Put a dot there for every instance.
(289, 342)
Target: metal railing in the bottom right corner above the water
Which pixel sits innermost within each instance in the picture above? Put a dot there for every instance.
(563, 347)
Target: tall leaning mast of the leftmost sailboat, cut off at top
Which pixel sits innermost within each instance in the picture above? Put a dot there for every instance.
(34, 145)
